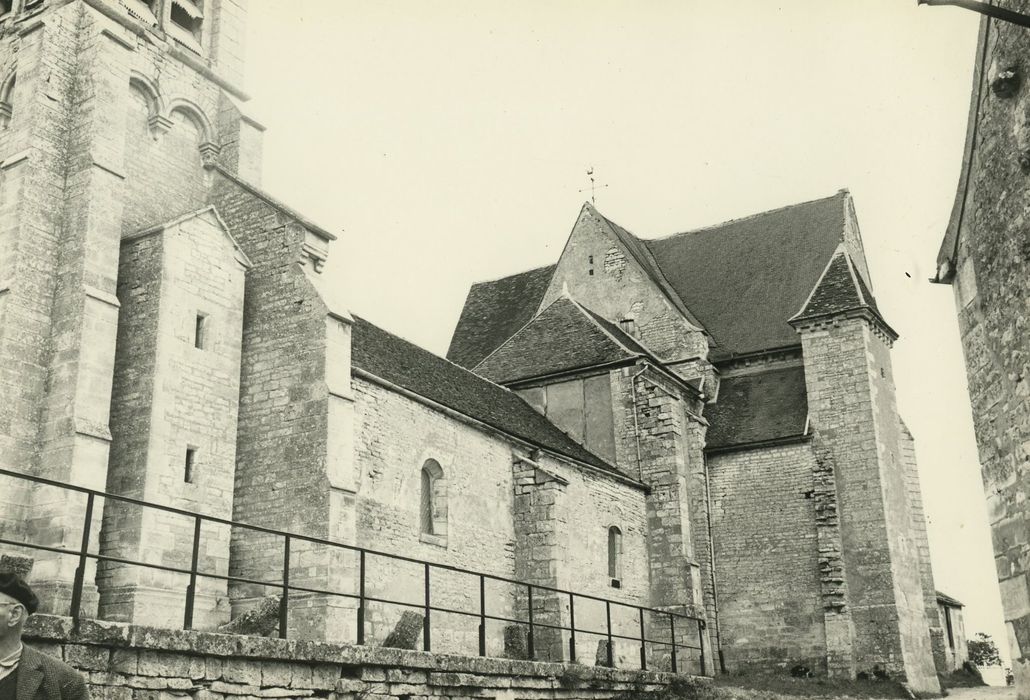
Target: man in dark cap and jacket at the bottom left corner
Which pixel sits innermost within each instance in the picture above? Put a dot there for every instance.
(26, 674)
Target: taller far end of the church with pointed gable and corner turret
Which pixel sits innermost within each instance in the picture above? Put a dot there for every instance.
(743, 373)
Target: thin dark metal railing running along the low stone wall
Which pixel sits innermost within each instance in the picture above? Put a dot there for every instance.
(677, 623)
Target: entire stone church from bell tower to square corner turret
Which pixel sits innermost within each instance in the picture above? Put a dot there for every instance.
(703, 424)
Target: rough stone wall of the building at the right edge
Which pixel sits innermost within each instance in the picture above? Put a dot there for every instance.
(991, 296)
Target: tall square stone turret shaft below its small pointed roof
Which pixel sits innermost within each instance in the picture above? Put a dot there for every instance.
(851, 401)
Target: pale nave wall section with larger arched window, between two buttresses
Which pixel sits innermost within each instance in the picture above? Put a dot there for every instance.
(395, 438)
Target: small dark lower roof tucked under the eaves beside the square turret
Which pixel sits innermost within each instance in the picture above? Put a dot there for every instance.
(759, 408)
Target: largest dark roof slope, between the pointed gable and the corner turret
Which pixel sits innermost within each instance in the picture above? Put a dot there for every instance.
(745, 278)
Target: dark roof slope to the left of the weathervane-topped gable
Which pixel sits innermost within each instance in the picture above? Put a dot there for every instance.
(495, 311)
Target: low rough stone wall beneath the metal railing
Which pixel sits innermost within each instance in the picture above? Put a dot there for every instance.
(129, 662)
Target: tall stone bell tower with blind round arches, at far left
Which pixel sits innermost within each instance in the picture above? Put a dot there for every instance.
(112, 115)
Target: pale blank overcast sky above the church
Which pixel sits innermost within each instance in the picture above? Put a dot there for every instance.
(448, 143)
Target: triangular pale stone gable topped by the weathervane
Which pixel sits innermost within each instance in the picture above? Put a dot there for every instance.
(615, 287)
